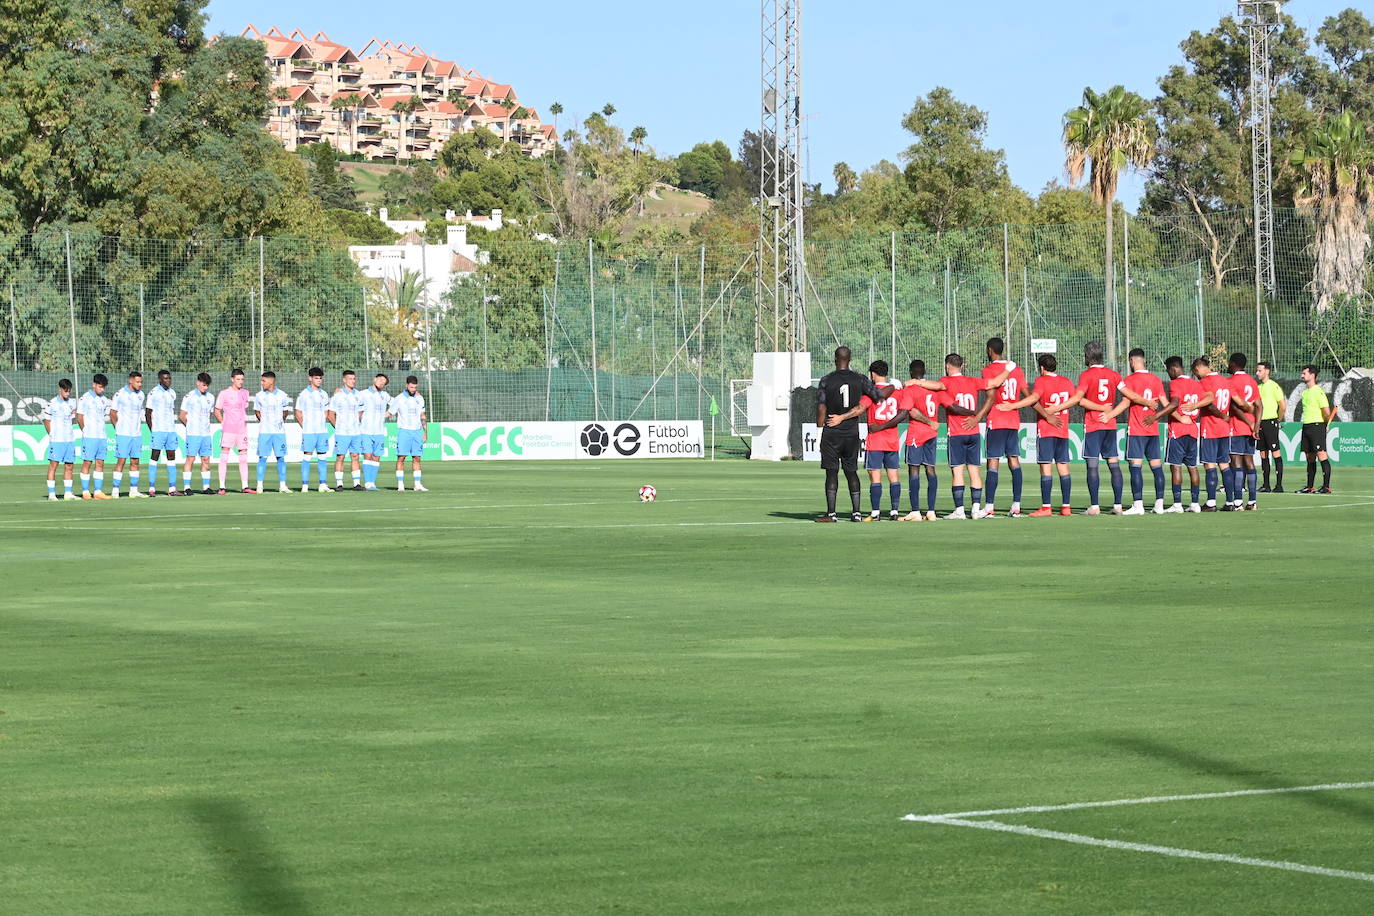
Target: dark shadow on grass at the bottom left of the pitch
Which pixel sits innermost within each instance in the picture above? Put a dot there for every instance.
(259, 877)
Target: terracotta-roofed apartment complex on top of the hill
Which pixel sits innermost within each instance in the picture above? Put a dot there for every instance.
(387, 102)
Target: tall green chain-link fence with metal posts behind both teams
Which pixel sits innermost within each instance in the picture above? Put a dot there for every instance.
(578, 332)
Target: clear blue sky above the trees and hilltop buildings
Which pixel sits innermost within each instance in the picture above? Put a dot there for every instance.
(689, 72)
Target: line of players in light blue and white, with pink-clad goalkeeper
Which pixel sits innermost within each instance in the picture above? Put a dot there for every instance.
(358, 421)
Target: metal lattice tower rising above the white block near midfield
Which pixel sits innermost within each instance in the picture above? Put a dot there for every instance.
(781, 259)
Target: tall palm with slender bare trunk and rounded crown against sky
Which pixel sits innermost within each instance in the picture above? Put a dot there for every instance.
(1110, 133)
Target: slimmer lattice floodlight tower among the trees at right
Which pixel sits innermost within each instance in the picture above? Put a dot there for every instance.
(1262, 21)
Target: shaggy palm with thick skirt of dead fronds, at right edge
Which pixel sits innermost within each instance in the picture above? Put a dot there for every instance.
(1338, 168)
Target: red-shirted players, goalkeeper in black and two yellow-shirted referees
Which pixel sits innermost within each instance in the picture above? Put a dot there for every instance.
(1213, 420)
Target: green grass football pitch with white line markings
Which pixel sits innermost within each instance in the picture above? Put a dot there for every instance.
(528, 693)
